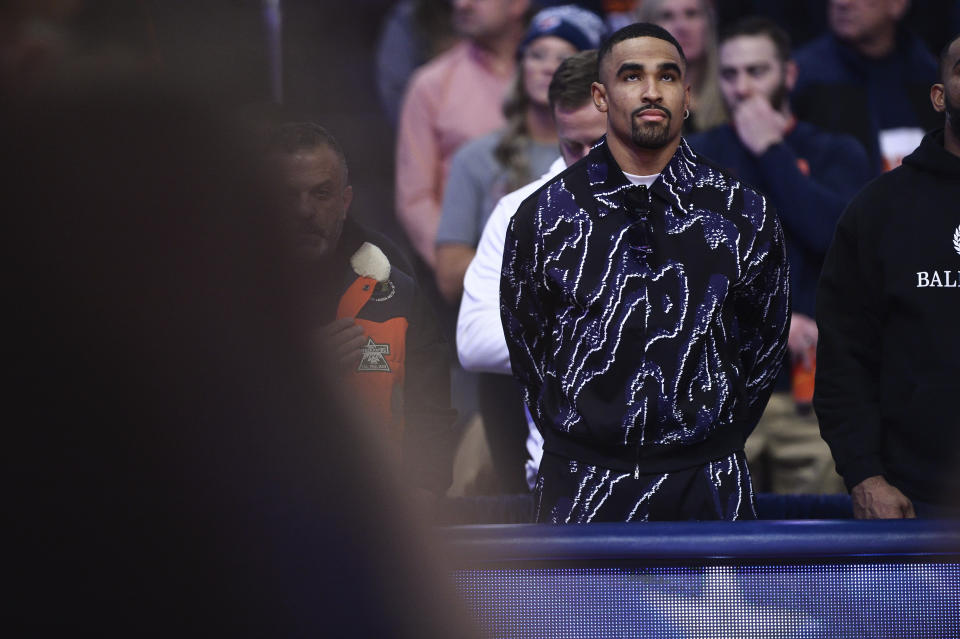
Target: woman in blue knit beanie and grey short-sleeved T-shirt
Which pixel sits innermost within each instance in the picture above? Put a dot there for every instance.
(487, 168)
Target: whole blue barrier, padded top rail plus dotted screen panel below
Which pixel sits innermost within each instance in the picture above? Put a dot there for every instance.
(803, 579)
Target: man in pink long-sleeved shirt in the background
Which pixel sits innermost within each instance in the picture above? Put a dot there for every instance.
(452, 99)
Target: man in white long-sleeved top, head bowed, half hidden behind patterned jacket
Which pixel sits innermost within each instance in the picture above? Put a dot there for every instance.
(481, 344)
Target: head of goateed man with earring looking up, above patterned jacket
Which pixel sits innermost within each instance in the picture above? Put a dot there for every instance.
(643, 92)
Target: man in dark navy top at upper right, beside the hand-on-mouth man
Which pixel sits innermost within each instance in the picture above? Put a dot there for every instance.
(868, 77)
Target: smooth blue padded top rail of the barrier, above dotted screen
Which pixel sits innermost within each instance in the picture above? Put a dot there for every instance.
(780, 540)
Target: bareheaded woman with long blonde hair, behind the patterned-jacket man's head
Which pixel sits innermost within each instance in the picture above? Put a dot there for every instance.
(693, 24)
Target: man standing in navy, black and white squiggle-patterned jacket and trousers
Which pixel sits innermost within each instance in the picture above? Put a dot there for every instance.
(645, 301)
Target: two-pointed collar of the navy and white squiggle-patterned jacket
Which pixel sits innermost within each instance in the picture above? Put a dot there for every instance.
(608, 183)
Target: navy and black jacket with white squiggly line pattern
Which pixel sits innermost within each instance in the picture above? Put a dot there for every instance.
(656, 361)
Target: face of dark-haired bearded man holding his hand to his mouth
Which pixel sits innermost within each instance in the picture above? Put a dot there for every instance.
(749, 66)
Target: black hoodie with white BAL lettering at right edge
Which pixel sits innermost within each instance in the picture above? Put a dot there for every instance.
(888, 309)
